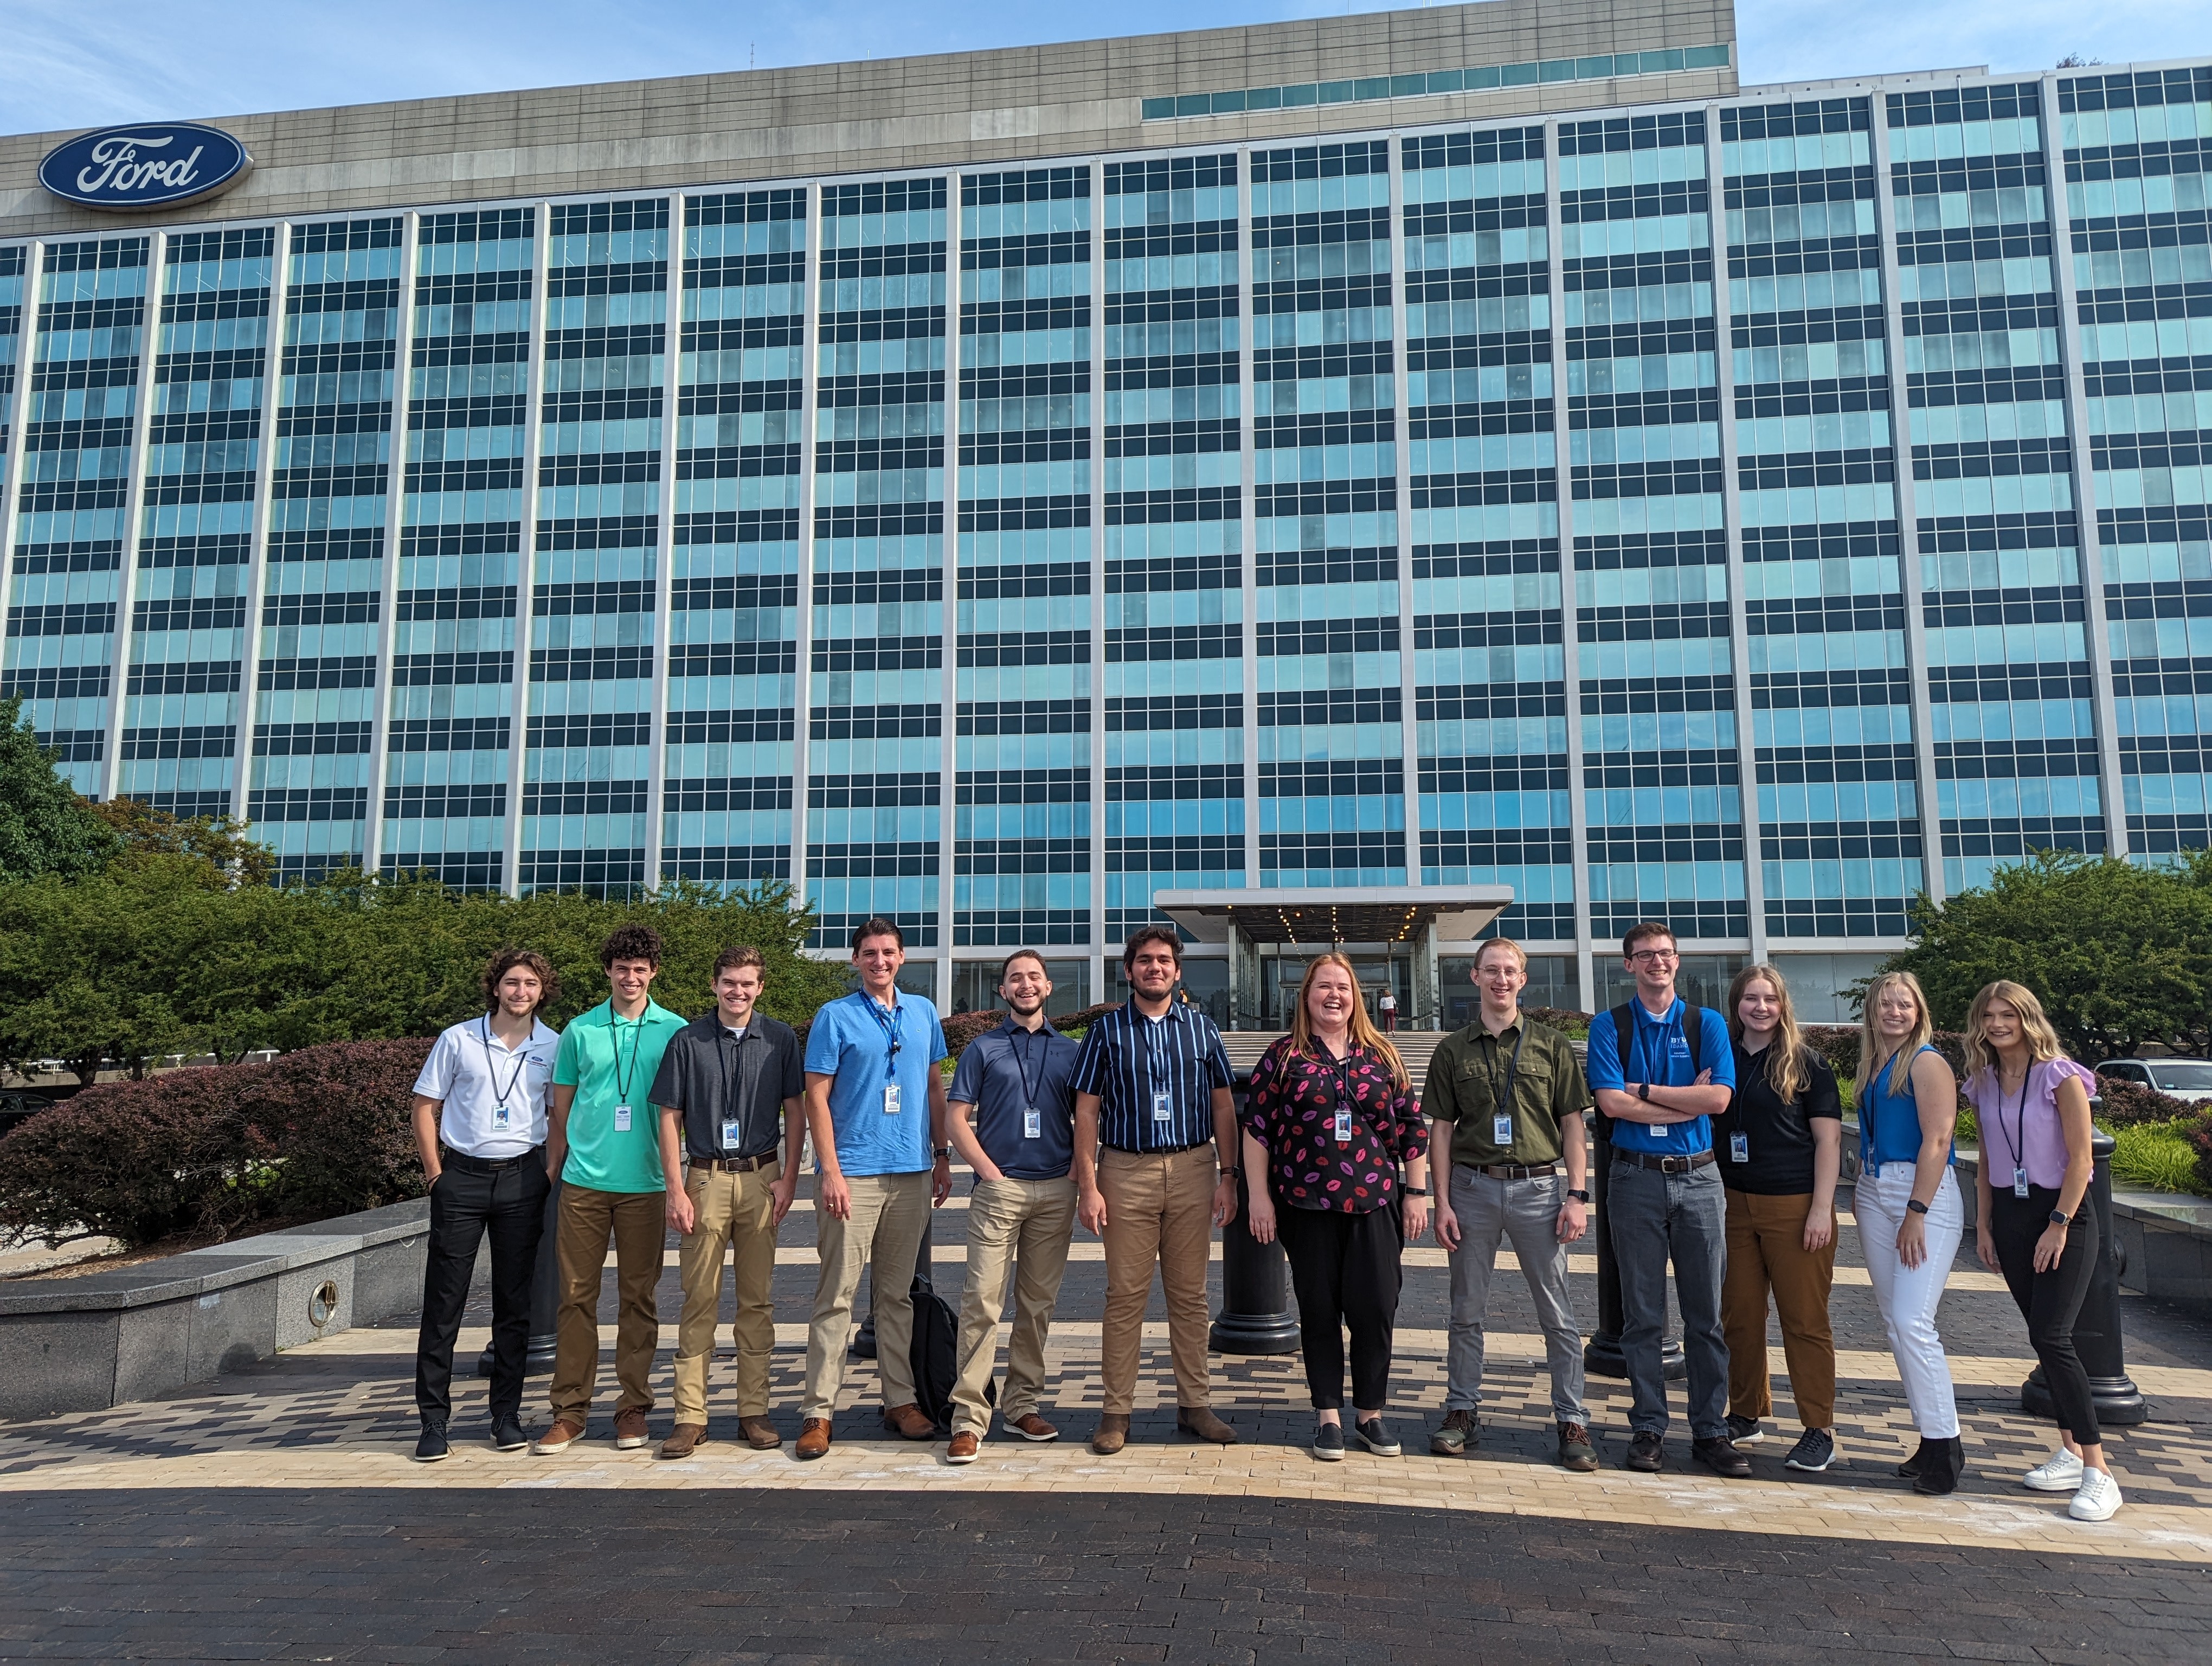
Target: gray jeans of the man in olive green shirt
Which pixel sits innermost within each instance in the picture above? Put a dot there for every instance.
(1525, 1211)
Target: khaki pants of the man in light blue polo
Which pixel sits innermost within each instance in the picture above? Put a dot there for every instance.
(884, 1236)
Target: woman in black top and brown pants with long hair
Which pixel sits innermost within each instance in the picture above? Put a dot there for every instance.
(1780, 1145)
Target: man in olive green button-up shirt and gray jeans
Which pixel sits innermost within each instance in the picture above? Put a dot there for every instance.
(1507, 1101)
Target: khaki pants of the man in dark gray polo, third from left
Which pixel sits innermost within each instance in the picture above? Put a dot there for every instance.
(729, 1214)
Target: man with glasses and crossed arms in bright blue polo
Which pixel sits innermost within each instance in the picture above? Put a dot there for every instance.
(1662, 1072)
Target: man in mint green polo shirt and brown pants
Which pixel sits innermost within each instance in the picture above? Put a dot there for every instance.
(605, 1152)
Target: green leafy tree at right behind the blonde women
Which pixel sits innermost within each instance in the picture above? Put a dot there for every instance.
(2120, 955)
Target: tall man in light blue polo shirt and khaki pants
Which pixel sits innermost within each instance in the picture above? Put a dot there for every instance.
(877, 1114)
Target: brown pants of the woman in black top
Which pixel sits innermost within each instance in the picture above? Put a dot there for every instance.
(1766, 1251)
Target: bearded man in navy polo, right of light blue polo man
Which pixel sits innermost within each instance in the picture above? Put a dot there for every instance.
(1014, 1123)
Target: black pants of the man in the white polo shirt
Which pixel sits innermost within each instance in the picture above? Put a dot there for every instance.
(463, 1207)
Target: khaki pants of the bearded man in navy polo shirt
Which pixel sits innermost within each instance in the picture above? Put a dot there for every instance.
(1027, 1222)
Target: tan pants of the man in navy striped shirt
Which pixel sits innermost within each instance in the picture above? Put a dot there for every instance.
(1158, 1211)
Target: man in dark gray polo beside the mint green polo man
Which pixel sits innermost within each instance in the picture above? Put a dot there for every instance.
(729, 1094)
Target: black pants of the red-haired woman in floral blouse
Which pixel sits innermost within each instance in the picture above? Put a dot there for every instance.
(1346, 1273)
